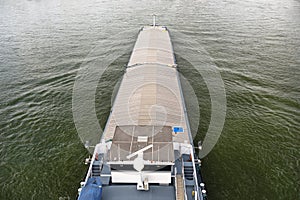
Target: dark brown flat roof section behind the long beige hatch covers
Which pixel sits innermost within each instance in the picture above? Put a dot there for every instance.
(125, 142)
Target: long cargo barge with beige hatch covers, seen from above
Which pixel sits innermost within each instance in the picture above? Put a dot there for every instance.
(146, 150)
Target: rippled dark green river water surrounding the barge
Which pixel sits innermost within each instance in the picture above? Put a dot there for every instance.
(254, 44)
